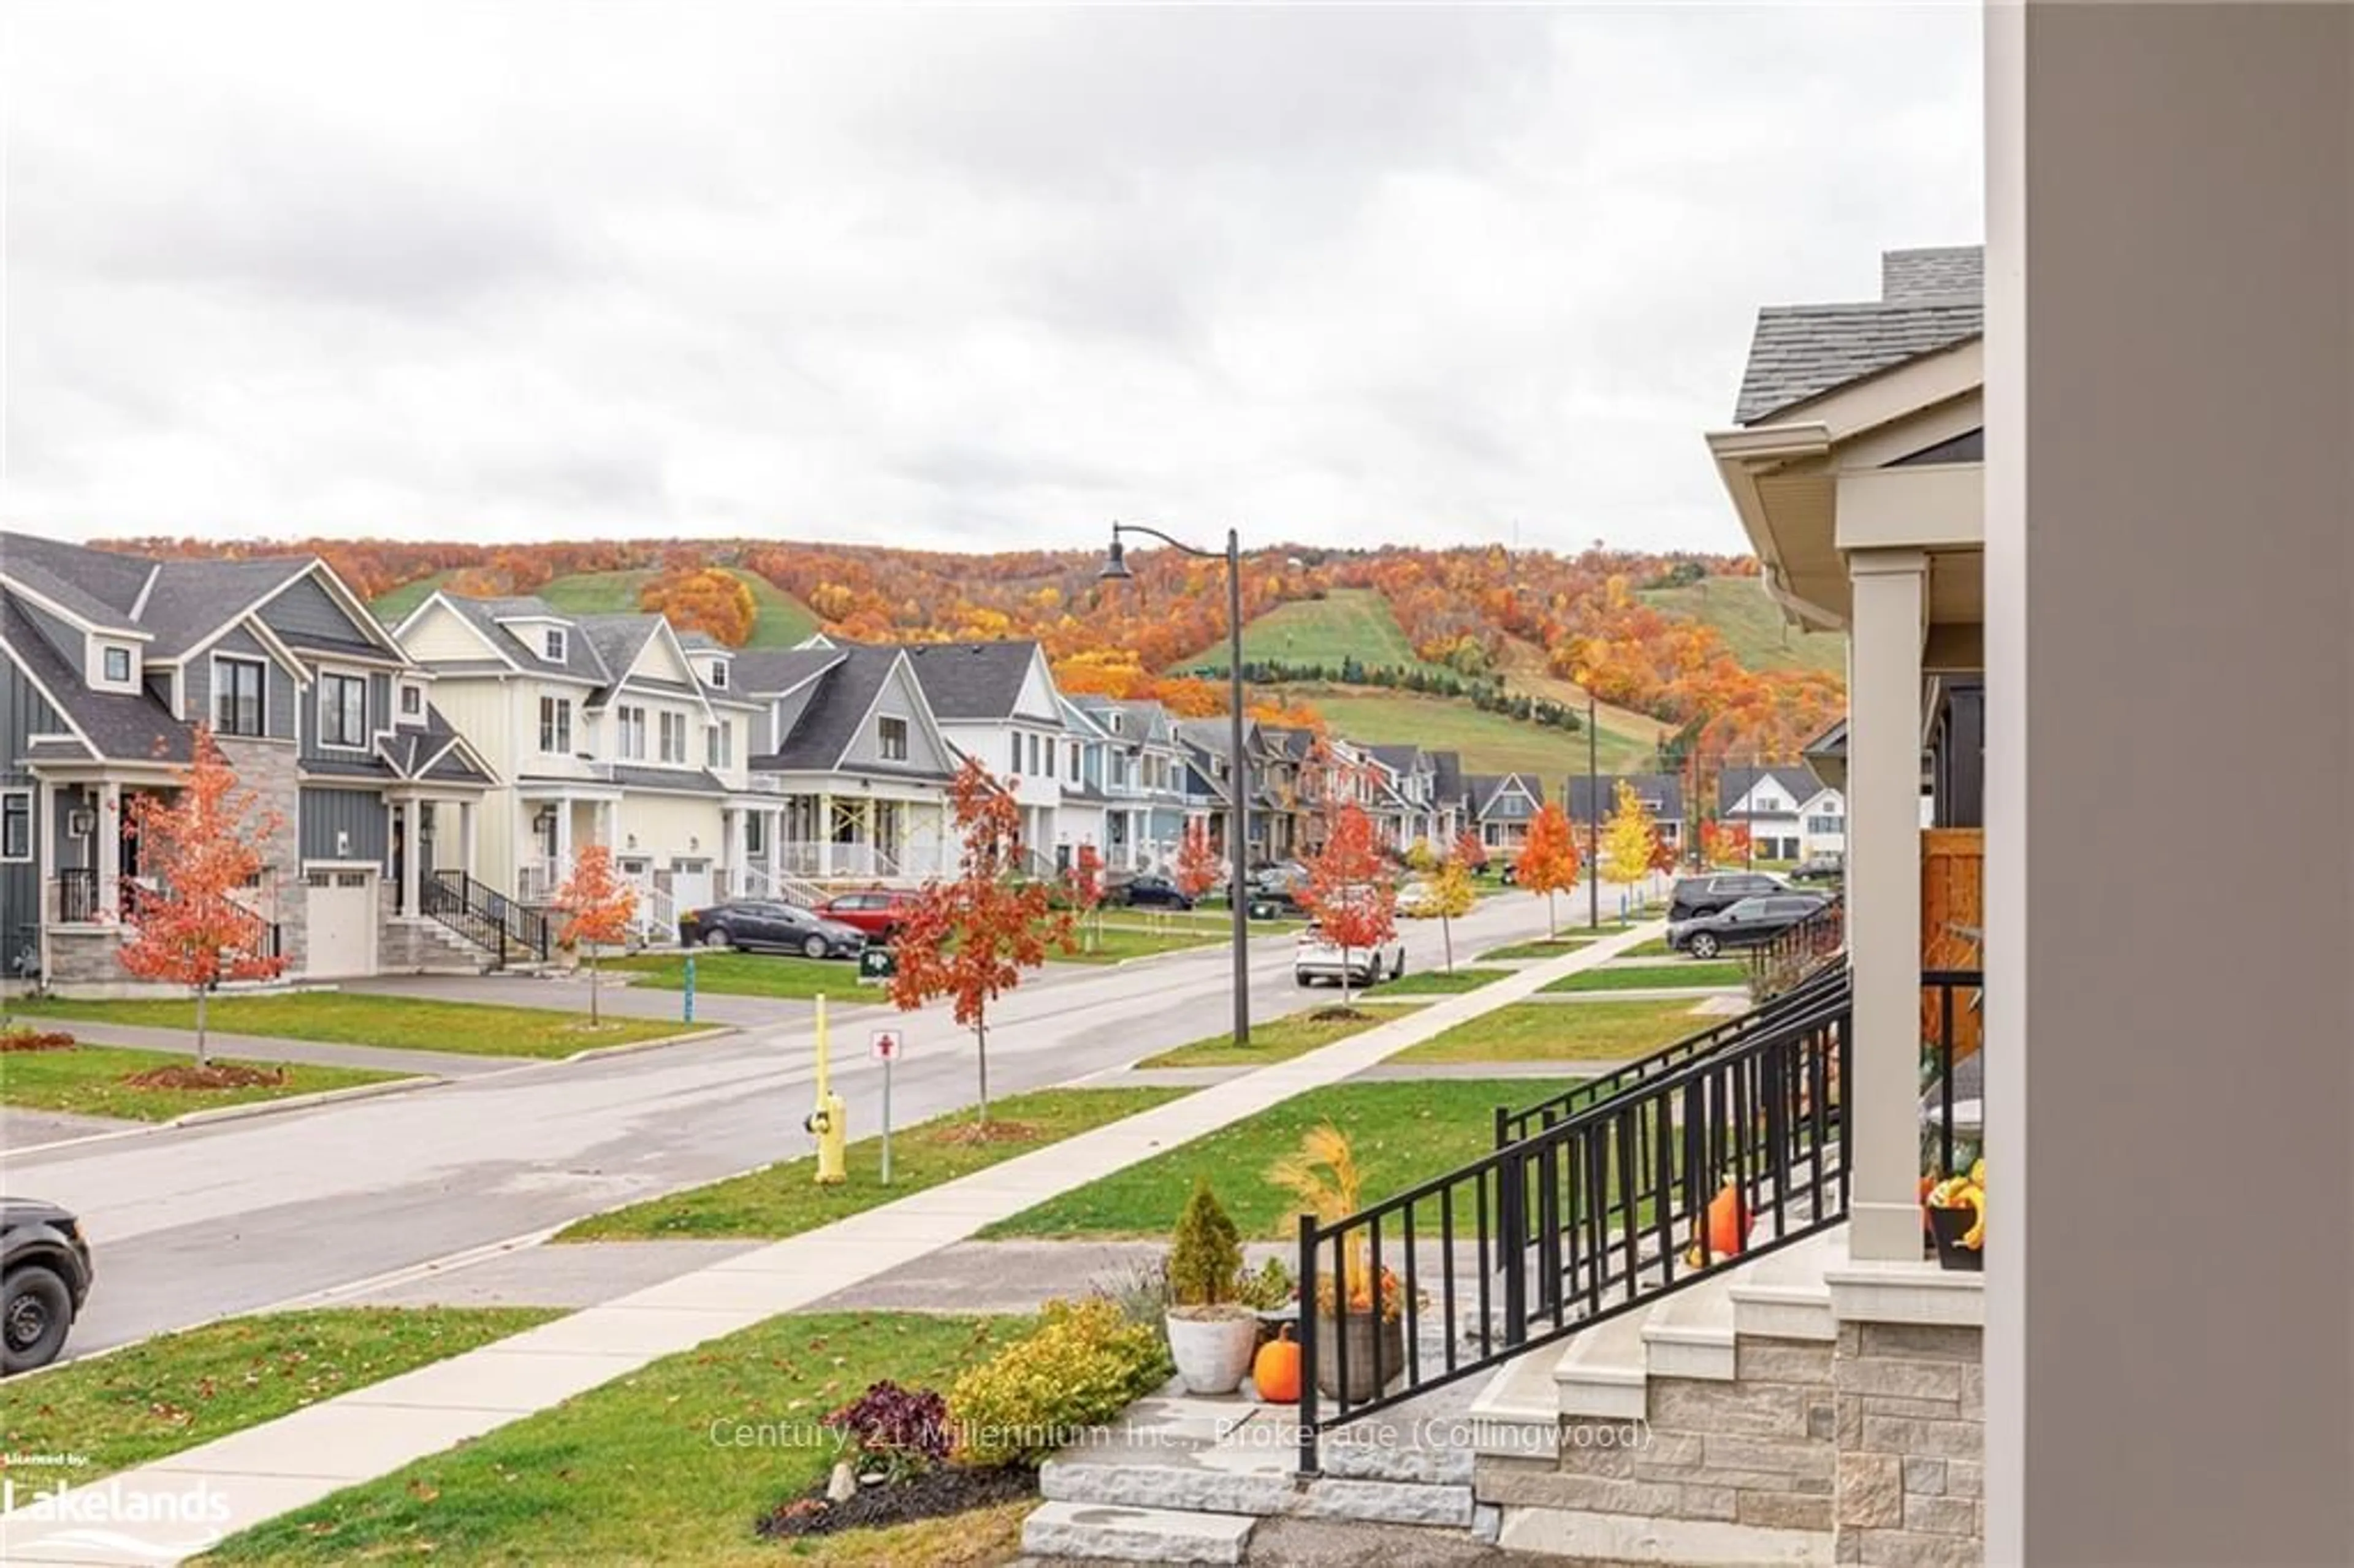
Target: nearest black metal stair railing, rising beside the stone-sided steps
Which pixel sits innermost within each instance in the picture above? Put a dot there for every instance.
(1583, 1221)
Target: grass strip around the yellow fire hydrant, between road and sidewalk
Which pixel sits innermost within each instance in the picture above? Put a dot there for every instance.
(785, 1200)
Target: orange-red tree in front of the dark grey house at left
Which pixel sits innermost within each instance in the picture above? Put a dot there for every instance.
(201, 846)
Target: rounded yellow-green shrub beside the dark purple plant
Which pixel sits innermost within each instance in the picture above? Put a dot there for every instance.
(1079, 1369)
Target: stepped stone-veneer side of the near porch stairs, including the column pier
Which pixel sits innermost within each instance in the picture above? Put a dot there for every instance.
(1868, 1449)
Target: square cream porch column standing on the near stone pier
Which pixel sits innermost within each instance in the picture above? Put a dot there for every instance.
(1884, 898)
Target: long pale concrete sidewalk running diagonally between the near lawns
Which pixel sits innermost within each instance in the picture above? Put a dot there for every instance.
(371, 1433)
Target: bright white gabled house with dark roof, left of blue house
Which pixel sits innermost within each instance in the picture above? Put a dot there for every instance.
(997, 703)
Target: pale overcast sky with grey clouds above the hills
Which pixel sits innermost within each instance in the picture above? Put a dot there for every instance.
(976, 279)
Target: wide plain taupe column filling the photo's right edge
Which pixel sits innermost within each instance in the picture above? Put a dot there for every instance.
(2167, 536)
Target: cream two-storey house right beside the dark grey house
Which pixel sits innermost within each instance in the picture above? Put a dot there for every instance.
(604, 731)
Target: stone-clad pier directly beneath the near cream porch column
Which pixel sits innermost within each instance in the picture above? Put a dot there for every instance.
(1913, 1444)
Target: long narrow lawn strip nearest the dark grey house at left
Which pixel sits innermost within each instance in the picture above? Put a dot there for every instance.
(357, 1018)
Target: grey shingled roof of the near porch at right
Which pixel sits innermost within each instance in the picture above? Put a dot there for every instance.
(1931, 300)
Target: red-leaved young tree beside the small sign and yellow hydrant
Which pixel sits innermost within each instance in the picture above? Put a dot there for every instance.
(971, 936)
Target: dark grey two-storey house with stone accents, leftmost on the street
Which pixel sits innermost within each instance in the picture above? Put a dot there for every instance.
(112, 665)
